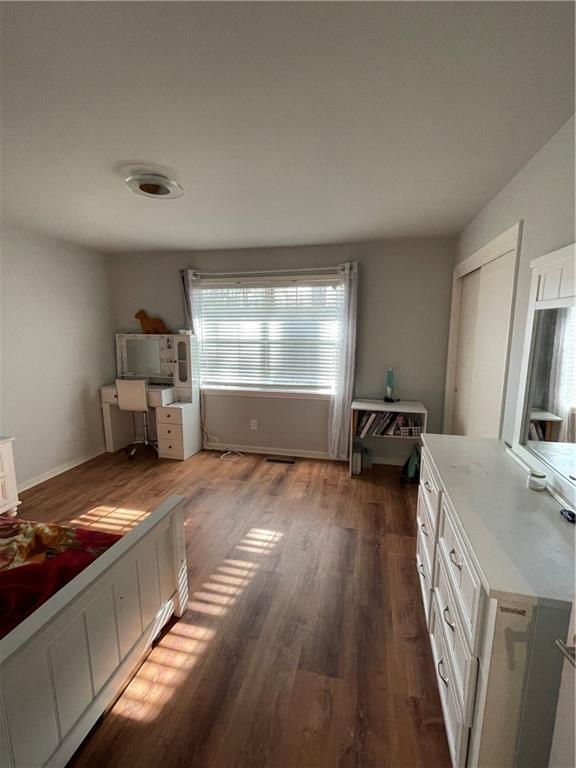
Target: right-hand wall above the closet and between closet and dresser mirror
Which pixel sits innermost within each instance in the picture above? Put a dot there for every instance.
(542, 195)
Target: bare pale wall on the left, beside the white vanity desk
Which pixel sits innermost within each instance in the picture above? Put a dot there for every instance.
(57, 349)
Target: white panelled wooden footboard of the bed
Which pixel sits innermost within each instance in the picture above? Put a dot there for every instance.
(64, 665)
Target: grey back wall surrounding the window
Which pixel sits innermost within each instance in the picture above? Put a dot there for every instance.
(403, 308)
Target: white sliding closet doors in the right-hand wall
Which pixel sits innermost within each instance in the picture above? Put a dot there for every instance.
(483, 341)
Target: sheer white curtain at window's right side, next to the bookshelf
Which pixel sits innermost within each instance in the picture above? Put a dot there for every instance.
(341, 401)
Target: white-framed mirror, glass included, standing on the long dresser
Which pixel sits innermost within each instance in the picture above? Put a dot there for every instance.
(546, 421)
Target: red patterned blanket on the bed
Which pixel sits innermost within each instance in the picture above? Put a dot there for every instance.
(38, 559)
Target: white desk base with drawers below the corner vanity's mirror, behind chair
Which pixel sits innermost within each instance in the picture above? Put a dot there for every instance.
(176, 425)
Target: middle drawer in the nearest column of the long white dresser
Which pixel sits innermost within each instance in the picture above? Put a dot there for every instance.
(463, 664)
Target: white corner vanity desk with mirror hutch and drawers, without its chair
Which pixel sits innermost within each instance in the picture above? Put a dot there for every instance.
(169, 364)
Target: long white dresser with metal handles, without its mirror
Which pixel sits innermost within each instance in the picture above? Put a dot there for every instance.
(496, 562)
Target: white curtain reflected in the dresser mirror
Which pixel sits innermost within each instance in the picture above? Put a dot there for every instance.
(562, 389)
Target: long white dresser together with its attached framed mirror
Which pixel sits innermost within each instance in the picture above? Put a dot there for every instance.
(495, 558)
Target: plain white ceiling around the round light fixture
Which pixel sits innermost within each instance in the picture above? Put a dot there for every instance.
(286, 123)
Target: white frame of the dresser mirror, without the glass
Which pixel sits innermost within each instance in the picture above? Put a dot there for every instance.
(552, 287)
